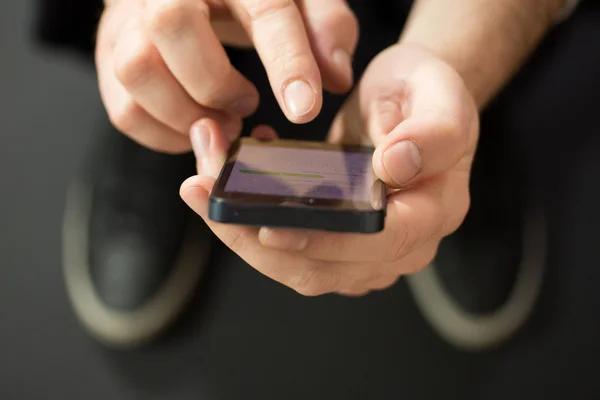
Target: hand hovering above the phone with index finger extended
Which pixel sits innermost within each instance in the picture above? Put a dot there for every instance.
(162, 66)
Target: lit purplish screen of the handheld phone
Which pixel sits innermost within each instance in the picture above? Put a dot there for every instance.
(313, 173)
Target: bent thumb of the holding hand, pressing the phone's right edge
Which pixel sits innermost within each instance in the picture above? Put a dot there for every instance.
(425, 133)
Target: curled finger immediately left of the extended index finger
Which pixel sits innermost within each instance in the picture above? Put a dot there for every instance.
(183, 35)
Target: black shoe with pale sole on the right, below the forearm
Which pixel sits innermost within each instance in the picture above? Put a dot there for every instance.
(485, 280)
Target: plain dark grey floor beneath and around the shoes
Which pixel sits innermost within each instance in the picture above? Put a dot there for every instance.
(230, 346)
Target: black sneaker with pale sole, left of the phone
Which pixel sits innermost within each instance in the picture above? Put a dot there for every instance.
(132, 252)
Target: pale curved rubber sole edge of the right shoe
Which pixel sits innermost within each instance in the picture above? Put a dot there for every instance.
(479, 332)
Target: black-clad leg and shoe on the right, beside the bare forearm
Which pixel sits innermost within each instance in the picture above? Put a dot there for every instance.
(487, 276)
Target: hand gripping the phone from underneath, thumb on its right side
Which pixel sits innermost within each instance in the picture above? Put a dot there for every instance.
(424, 123)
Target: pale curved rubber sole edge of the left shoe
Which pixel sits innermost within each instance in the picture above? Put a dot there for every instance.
(130, 329)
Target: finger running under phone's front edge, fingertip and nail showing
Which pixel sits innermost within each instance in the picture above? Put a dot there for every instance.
(413, 218)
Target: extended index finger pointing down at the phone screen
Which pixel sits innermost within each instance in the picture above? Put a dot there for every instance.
(277, 31)
